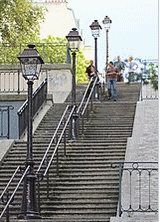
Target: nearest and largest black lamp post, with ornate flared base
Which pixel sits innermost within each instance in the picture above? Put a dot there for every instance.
(31, 63)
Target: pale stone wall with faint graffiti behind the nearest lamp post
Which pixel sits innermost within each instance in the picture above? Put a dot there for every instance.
(59, 80)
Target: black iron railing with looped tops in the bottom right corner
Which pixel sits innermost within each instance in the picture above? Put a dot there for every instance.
(138, 167)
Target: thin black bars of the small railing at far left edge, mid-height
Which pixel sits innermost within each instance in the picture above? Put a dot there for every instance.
(5, 108)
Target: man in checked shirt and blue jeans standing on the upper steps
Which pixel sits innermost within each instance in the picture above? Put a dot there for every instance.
(112, 73)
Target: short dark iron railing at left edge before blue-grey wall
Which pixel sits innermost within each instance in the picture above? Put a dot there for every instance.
(5, 121)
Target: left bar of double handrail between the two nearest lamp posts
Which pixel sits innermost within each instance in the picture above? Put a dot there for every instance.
(52, 139)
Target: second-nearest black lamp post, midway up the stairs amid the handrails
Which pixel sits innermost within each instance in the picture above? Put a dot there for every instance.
(74, 40)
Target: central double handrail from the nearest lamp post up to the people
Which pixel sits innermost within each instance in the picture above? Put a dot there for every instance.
(60, 136)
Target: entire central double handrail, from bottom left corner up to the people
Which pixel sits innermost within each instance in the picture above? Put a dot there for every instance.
(59, 136)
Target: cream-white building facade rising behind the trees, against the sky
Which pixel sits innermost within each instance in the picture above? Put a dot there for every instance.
(59, 20)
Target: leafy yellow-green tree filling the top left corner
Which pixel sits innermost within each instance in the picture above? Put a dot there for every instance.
(19, 21)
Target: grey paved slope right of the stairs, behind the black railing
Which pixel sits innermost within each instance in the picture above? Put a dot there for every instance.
(141, 147)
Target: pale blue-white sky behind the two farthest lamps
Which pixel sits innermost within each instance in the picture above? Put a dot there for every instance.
(134, 28)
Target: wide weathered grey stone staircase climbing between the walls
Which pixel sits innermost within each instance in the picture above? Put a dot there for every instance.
(87, 187)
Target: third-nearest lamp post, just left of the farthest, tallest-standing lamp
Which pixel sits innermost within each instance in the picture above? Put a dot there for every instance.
(95, 29)
